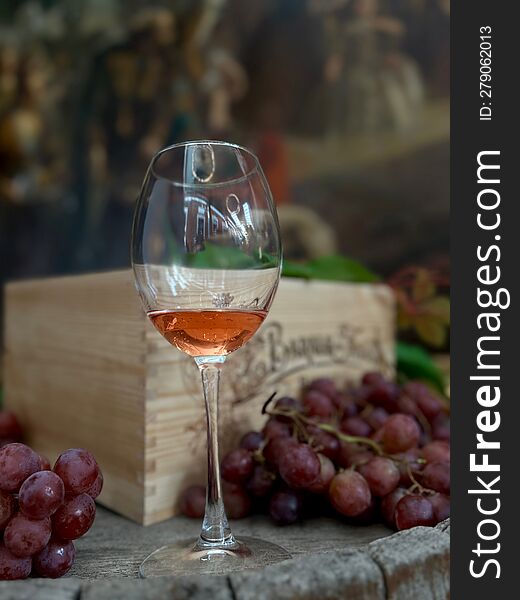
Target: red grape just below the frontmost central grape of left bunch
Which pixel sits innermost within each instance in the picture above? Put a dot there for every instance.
(24, 537)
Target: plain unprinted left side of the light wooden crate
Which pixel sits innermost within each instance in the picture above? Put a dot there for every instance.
(75, 352)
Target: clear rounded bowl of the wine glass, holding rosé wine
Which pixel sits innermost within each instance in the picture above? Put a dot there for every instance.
(206, 238)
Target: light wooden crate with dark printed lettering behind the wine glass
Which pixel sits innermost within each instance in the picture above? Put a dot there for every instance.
(84, 367)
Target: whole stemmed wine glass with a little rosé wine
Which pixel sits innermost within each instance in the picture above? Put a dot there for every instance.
(206, 255)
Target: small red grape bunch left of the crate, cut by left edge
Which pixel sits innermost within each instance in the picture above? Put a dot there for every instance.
(42, 511)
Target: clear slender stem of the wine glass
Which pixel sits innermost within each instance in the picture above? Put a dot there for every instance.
(215, 527)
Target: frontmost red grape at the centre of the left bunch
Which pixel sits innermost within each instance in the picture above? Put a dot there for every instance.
(41, 494)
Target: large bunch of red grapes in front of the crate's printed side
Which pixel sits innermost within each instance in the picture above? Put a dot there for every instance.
(375, 452)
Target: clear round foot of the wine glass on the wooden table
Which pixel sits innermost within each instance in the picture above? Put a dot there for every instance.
(186, 558)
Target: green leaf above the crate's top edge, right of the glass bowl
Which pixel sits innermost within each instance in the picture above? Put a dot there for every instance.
(331, 268)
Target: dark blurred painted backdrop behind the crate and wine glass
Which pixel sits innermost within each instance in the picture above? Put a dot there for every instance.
(346, 102)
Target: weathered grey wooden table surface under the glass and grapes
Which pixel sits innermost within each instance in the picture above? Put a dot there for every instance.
(331, 559)
